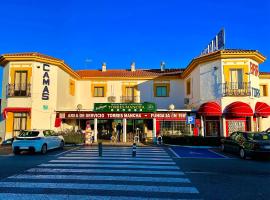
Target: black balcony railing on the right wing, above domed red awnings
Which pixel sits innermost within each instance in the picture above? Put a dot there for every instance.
(236, 89)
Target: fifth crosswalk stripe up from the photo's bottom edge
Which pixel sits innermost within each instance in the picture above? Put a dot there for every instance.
(107, 165)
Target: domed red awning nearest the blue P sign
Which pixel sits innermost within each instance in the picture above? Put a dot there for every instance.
(210, 109)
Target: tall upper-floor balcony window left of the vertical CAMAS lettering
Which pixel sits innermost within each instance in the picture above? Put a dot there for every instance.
(20, 83)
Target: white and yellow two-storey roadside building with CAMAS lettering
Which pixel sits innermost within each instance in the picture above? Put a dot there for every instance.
(220, 92)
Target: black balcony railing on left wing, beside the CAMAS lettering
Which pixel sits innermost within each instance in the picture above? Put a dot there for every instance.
(19, 90)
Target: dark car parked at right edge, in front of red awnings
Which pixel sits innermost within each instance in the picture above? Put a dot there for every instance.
(247, 144)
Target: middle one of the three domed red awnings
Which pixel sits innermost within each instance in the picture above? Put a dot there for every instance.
(238, 109)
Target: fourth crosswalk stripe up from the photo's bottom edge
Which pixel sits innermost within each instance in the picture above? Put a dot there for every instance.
(104, 171)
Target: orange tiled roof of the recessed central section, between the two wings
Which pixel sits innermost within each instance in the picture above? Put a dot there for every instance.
(128, 73)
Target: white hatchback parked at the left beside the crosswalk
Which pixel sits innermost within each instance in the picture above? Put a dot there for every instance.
(37, 141)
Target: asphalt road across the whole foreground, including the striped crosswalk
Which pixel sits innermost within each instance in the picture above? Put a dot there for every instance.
(225, 177)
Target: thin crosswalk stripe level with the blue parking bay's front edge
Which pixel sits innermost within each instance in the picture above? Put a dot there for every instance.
(109, 158)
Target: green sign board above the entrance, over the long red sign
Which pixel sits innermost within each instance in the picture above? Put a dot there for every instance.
(125, 107)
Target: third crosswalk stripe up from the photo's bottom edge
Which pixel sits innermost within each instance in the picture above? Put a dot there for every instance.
(105, 178)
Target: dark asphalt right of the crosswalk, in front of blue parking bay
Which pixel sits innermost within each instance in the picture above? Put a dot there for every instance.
(229, 178)
